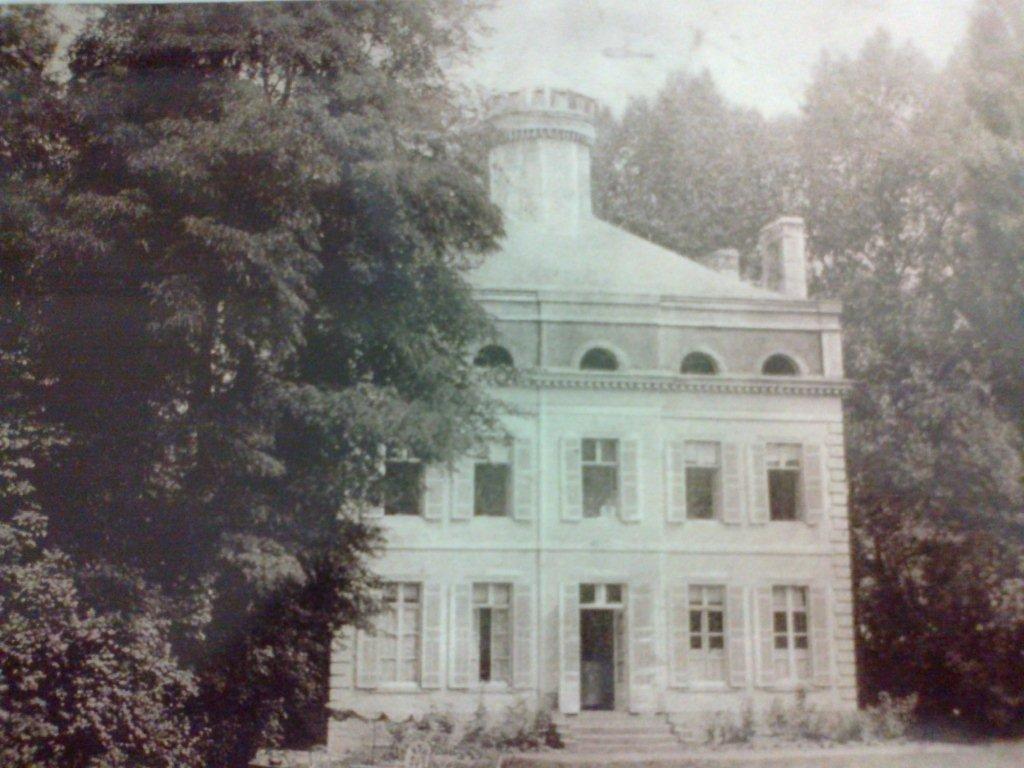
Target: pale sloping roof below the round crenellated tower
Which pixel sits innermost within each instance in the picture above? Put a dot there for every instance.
(593, 255)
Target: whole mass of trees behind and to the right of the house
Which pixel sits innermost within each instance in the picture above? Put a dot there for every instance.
(912, 183)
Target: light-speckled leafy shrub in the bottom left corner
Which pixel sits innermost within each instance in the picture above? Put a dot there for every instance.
(77, 688)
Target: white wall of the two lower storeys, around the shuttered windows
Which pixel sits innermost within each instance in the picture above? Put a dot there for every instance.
(548, 552)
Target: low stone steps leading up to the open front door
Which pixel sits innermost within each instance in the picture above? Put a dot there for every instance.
(616, 734)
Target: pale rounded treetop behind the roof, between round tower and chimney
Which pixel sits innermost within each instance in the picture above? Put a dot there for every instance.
(688, 151)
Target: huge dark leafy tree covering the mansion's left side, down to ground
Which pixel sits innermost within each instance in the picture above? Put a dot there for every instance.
(242, 282)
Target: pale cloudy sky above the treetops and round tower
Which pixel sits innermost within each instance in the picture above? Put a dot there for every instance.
(760, 53)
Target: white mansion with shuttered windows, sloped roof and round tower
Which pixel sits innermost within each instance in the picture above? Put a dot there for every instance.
(666, 529)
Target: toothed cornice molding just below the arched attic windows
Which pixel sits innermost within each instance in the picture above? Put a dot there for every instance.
(541, 379)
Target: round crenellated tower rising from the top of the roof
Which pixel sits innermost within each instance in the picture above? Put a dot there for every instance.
(540, 166)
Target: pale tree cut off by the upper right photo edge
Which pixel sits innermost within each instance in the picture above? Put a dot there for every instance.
(989, 245)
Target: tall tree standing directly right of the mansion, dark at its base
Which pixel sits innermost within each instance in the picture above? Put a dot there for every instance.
(935, 467)
